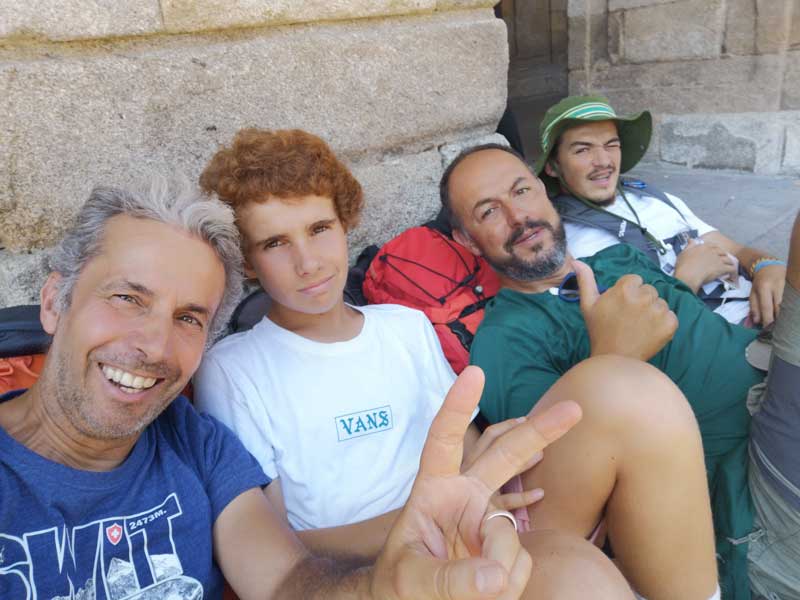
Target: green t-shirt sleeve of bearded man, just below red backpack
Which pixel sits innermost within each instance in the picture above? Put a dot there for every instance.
(517, 374)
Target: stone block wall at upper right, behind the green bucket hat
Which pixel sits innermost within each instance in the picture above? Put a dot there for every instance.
(722, 77)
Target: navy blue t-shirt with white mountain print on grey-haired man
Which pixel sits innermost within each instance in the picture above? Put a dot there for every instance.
(141, 531)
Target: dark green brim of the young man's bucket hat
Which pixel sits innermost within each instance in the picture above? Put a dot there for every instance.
(635, 133)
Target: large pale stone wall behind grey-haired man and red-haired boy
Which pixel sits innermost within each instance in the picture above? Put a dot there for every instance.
(101, 91)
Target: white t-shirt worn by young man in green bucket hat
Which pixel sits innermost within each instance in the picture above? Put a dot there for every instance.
(663, 222)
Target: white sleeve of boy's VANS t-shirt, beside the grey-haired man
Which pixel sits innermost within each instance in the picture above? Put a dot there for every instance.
(232, 400)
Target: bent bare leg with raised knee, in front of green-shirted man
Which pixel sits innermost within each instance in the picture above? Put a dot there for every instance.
(636, 457)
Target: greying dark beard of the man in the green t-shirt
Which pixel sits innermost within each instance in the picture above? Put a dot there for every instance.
(540, 266)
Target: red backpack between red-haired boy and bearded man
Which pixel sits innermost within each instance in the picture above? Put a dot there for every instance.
(422, 268)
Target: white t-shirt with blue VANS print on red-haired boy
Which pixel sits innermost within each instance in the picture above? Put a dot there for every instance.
(340, 424)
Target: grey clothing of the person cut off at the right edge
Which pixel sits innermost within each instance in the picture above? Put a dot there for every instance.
(774, 551)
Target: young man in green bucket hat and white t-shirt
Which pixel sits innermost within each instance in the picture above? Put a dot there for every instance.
(585, 147)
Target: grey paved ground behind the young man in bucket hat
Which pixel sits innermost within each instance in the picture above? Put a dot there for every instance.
(756, 210)
